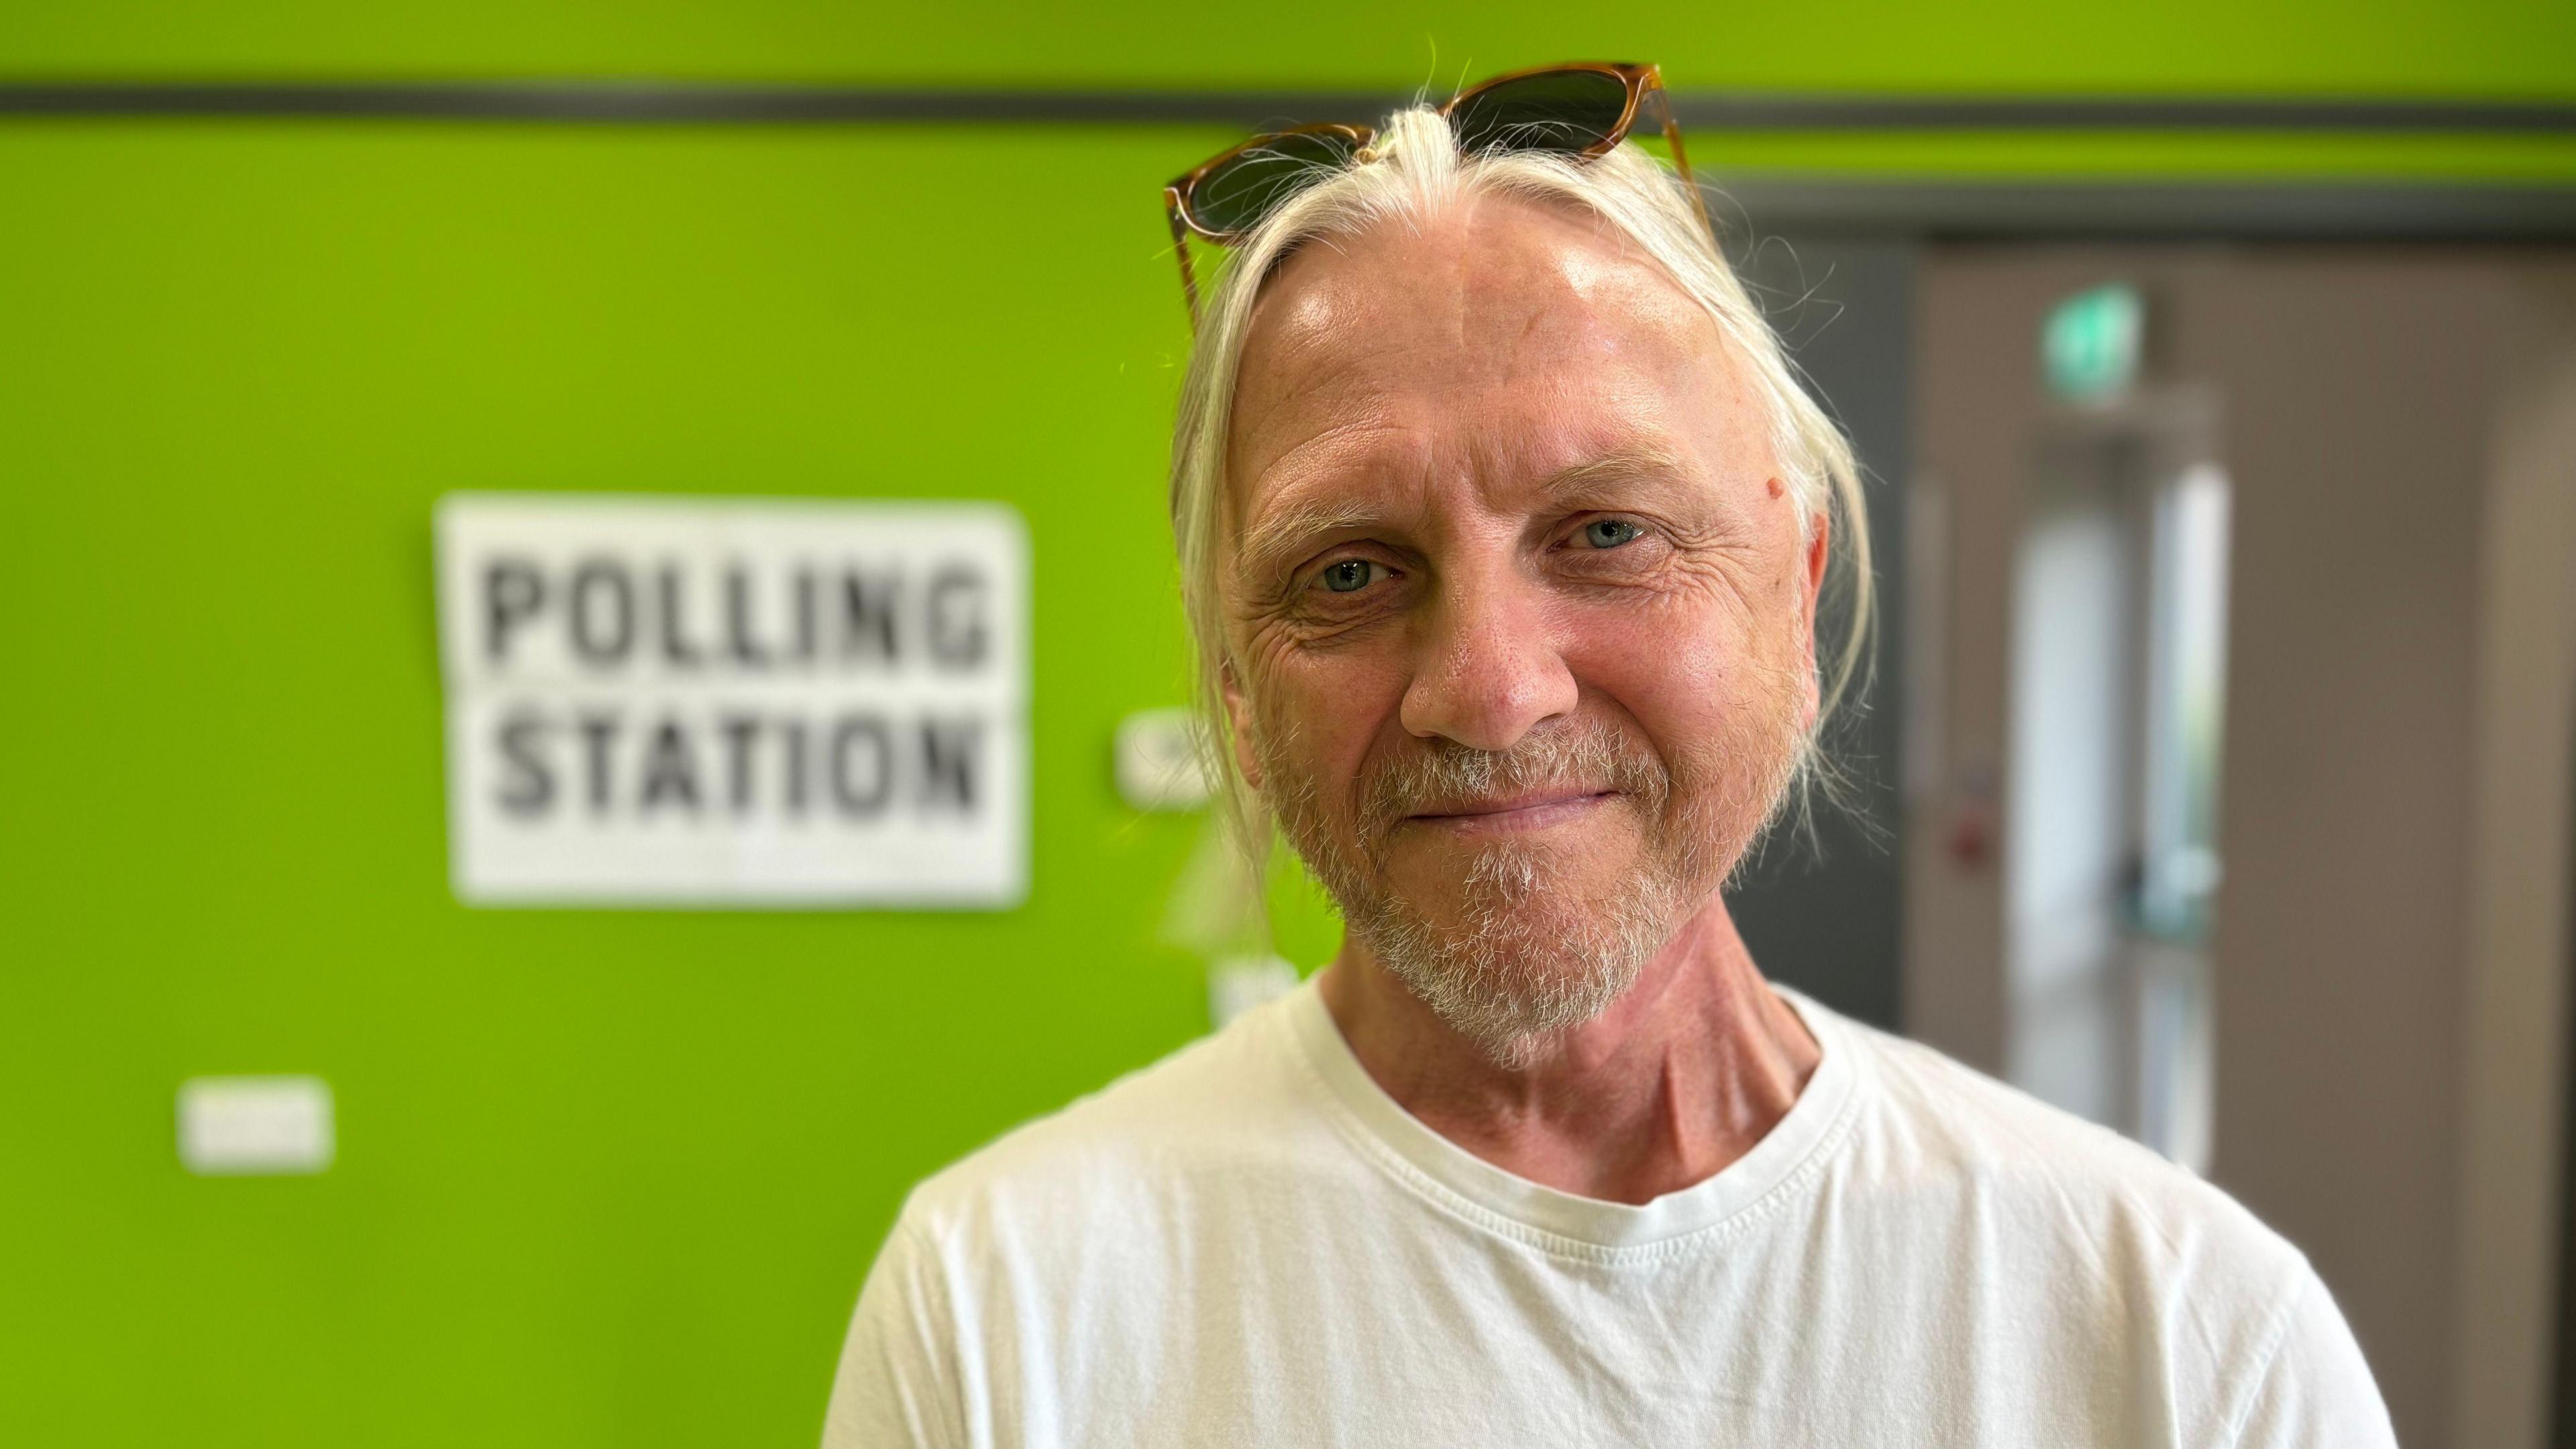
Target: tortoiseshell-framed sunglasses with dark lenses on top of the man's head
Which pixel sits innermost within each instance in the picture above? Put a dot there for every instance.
(1580, 110)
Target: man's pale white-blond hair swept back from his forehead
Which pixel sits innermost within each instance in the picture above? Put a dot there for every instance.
(1410, 174)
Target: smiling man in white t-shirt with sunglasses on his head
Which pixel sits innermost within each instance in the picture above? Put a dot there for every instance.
(1503, 530)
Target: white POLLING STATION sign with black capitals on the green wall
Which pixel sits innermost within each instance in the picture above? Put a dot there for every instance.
(735, 703)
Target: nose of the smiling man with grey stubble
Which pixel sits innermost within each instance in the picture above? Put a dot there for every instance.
(1488, 666)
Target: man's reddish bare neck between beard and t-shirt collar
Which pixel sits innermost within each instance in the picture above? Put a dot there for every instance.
(1668, 1087)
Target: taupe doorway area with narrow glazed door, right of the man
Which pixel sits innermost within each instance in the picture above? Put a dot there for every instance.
(2206, 808)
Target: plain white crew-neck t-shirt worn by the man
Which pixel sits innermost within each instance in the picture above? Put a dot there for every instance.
(1253, 1244)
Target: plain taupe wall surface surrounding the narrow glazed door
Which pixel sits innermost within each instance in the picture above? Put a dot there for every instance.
(2374, 411)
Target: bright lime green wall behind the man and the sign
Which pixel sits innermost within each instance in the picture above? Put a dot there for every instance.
(614, 1177)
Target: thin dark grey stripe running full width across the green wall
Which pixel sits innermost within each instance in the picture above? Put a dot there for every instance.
(622, 102)
